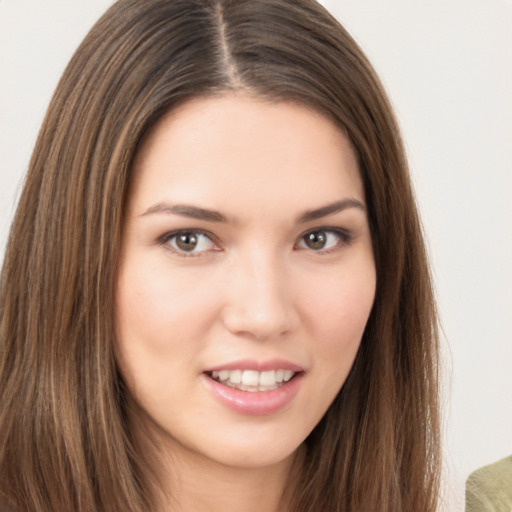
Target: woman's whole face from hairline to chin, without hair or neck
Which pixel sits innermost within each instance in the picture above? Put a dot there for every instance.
(246, 277)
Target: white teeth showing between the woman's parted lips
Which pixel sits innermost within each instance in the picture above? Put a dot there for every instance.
(252, 380)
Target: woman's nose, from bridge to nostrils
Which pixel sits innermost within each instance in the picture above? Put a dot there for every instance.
(260, 299)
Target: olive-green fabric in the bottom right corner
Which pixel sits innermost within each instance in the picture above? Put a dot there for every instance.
(489, 489)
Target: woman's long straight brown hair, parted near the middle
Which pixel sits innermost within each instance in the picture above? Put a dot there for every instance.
(65, 442)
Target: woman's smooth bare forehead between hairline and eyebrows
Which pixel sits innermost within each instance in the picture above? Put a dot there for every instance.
(234, 149)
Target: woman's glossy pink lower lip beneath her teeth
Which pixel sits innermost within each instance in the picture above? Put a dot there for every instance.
(258, 403)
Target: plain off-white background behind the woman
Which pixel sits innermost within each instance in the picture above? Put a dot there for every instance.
(447, 67)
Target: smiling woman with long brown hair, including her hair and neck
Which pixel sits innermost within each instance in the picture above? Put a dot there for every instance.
(215, 294)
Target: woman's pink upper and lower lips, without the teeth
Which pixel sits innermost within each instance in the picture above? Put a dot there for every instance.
(259, 403)
